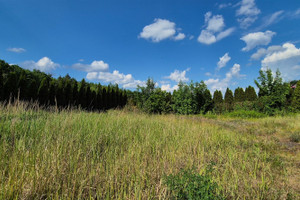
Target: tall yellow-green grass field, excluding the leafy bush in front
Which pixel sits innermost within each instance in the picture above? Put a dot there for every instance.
(125, 155)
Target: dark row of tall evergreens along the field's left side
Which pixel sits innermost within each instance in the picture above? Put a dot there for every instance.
(17, 83)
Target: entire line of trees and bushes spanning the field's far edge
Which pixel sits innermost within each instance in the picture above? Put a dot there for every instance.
(273, 96)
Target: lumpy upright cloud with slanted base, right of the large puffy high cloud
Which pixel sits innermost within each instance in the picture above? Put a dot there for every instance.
(213, 32)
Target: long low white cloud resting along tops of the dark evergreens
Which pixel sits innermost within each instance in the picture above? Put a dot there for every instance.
(126, 80)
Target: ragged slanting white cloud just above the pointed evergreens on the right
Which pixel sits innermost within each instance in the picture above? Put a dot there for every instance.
(222, 84)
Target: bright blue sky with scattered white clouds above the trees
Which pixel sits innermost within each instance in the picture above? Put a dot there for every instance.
(223, 43)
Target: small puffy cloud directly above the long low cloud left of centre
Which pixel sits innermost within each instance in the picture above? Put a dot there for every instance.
(95, 66)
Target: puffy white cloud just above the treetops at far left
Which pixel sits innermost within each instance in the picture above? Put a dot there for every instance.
(45, 64)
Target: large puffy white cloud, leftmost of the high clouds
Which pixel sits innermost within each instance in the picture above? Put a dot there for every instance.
(161, 29)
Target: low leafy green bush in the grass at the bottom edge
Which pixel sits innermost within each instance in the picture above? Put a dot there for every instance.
(188, 184)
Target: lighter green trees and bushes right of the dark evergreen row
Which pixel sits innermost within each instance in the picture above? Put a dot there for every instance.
(274, 96)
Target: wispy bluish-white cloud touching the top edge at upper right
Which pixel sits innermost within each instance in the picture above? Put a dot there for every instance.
(247, 13)
